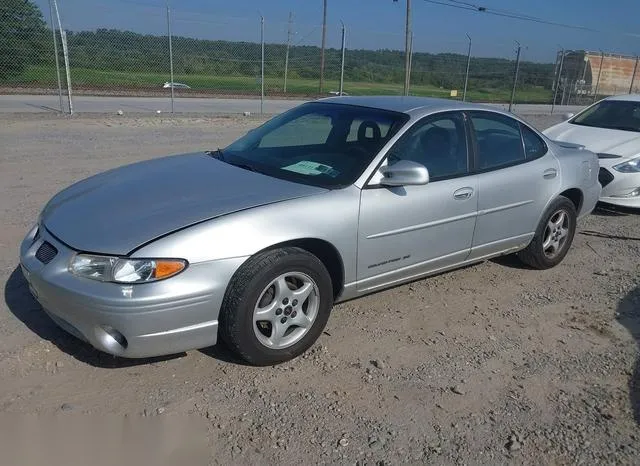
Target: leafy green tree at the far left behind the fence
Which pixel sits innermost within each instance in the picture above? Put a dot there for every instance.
(23, 36)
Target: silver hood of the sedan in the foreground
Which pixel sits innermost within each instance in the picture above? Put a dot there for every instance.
(119, 210)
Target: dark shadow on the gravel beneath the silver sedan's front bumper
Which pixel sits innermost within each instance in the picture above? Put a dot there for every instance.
(22, 305)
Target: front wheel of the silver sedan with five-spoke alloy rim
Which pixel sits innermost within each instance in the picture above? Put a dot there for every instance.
(261, 320)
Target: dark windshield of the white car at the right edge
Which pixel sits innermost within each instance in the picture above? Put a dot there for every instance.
(611, 114)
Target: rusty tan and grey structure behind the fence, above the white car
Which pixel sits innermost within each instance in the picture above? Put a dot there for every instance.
(586, 73)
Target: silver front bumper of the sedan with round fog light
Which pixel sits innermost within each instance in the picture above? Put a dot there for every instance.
(154, 319)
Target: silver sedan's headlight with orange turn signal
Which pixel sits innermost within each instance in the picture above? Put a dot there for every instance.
(117, 270)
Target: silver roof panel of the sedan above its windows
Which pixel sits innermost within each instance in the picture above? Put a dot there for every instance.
(411, 105)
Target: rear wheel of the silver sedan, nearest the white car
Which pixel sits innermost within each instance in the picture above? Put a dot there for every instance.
(553, 236)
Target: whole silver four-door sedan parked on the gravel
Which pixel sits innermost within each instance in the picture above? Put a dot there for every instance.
(332, 200)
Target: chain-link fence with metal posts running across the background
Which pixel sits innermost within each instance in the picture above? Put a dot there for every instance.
(180, 53)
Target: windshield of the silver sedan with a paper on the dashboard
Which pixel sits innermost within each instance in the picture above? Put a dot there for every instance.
(320, 144)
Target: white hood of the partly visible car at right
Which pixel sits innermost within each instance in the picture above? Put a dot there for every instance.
(600, 140)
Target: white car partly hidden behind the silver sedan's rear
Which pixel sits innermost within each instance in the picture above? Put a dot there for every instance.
(610, 128)
